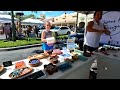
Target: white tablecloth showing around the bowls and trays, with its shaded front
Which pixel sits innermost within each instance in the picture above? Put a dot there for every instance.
(80, 69)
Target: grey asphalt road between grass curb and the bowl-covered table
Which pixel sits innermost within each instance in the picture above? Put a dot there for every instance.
(18, 53)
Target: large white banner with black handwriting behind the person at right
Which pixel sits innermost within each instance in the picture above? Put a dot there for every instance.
(111, 20)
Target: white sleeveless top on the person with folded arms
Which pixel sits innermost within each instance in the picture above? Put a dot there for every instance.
(92, 38)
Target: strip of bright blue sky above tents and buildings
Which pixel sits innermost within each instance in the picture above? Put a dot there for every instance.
(47, 13)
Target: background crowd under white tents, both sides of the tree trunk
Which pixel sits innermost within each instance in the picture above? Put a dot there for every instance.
(6, 29)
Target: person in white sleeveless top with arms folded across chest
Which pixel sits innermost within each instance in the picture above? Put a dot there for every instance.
(94, 30)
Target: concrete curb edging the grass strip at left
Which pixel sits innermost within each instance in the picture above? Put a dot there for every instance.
(20, 47)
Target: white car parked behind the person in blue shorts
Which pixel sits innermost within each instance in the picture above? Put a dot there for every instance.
(61, 30)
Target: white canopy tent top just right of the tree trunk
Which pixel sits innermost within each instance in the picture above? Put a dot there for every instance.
(31, 21)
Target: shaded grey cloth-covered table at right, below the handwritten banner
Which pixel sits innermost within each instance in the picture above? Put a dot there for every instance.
(108, 65)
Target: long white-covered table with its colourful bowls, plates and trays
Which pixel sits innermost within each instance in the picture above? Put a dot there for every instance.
(61, 64)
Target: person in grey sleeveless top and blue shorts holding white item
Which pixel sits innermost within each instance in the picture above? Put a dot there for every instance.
(47, 47)
